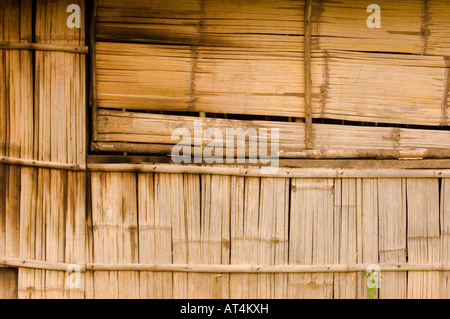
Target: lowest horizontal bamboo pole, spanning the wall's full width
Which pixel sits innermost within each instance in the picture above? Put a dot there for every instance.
(204, 268)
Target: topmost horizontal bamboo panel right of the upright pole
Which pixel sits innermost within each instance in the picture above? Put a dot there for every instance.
(417, 26)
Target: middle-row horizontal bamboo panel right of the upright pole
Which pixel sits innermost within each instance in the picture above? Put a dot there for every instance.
(386, 88)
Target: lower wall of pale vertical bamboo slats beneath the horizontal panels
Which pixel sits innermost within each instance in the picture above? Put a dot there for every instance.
(225, 220)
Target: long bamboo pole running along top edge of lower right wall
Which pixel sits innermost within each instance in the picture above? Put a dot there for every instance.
(282, 172)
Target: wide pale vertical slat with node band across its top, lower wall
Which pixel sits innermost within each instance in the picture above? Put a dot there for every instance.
(311, 236)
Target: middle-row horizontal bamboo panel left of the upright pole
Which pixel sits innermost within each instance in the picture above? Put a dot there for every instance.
(216, 80)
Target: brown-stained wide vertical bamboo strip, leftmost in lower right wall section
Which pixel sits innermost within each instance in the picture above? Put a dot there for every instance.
(115, 233)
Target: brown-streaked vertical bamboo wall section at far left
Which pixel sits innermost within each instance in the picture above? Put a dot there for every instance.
(43, 118)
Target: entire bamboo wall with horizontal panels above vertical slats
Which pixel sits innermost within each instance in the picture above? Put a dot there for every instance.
(169, 231)
